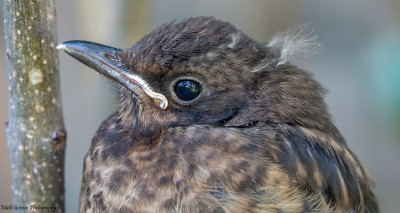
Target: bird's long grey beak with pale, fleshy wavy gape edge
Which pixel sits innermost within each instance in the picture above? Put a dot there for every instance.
(104, 60)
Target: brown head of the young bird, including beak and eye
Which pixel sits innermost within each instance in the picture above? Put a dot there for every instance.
(205, 71)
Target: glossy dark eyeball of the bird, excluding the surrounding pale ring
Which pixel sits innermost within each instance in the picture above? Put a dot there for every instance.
(187, 90)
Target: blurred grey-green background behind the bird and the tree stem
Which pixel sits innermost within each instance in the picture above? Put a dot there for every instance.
(359, 65)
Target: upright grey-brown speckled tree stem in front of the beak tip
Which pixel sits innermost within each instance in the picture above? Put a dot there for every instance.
(35, 132)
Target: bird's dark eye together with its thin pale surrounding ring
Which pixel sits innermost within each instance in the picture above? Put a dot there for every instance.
(186, 90)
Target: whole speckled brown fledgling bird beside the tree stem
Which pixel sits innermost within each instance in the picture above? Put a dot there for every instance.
(211, 120)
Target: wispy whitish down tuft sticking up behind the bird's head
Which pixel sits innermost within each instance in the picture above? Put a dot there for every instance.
(295, 44)
